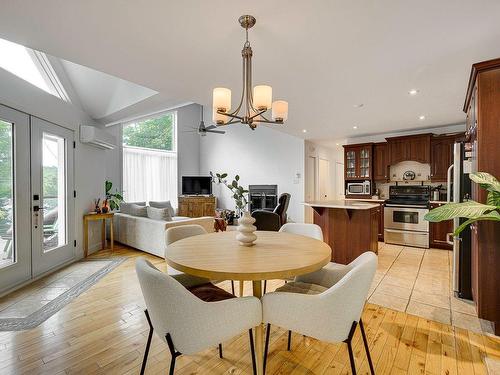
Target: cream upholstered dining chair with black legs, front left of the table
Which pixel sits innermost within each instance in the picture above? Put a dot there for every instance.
(181, 316)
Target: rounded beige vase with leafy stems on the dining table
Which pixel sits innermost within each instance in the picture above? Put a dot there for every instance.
(246, 229)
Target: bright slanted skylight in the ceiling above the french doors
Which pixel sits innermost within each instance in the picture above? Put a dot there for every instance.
(32, 66)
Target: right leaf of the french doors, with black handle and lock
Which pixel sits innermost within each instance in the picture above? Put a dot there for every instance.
(52, 195)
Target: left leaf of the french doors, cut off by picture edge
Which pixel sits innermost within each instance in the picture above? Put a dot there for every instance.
(15, 244)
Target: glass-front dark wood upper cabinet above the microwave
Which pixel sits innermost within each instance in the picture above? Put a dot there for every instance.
(358, 160)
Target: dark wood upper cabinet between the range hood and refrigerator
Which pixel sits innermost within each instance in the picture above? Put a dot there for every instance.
(442, 154)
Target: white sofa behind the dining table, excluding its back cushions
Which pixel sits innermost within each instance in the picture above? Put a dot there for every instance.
(148, 234)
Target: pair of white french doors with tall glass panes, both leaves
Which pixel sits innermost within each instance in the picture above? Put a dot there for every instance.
(36, 197)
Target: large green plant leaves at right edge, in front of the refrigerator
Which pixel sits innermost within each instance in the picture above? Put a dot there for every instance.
(471, 210)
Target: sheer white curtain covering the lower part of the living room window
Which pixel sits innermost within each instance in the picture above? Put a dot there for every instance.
(149, 175)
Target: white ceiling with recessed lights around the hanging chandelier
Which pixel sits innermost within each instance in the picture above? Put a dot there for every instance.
(324, 57)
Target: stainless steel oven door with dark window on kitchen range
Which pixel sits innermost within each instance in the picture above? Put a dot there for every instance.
(406, 218)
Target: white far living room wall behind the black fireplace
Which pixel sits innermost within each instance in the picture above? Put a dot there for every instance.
(263, 156)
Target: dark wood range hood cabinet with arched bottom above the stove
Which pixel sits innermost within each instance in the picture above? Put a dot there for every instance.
(410, 148)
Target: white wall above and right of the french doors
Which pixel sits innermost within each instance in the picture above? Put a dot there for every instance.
(89, 161)
